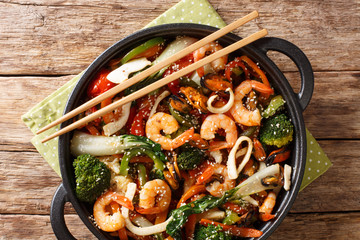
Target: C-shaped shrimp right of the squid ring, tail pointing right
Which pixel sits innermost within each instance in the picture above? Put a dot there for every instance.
(240, 113)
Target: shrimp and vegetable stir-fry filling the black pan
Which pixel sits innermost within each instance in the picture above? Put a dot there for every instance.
(200, 158)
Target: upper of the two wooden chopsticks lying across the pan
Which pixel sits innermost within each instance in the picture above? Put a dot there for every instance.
(155, 68)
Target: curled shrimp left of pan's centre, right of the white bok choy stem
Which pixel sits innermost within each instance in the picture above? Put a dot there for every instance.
(168, 124)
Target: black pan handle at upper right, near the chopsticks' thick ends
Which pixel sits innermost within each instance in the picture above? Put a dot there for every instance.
(299, 58)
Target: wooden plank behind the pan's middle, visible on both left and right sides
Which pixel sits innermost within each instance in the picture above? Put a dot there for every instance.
(334, 101)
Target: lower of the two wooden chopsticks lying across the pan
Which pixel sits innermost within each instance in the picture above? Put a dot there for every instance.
(159, 83)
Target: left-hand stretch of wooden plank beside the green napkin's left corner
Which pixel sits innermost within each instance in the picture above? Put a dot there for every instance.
(20, 96)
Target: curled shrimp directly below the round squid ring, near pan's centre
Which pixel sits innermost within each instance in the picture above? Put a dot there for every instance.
(214, 122)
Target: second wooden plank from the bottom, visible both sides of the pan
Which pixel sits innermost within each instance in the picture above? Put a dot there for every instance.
(27, 174)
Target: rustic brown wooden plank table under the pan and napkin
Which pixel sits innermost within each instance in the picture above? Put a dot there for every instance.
(45, 43)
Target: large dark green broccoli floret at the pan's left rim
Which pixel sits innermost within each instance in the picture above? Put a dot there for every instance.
(92, 177)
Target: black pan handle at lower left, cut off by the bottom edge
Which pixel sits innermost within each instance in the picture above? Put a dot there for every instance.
(57, 214)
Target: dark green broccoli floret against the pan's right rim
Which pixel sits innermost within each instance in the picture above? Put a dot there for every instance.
(277, 131)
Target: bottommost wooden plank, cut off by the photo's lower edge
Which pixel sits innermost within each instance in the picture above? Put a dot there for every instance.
(295, 226)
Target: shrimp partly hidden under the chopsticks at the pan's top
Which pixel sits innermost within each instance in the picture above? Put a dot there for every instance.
(208, 49)
